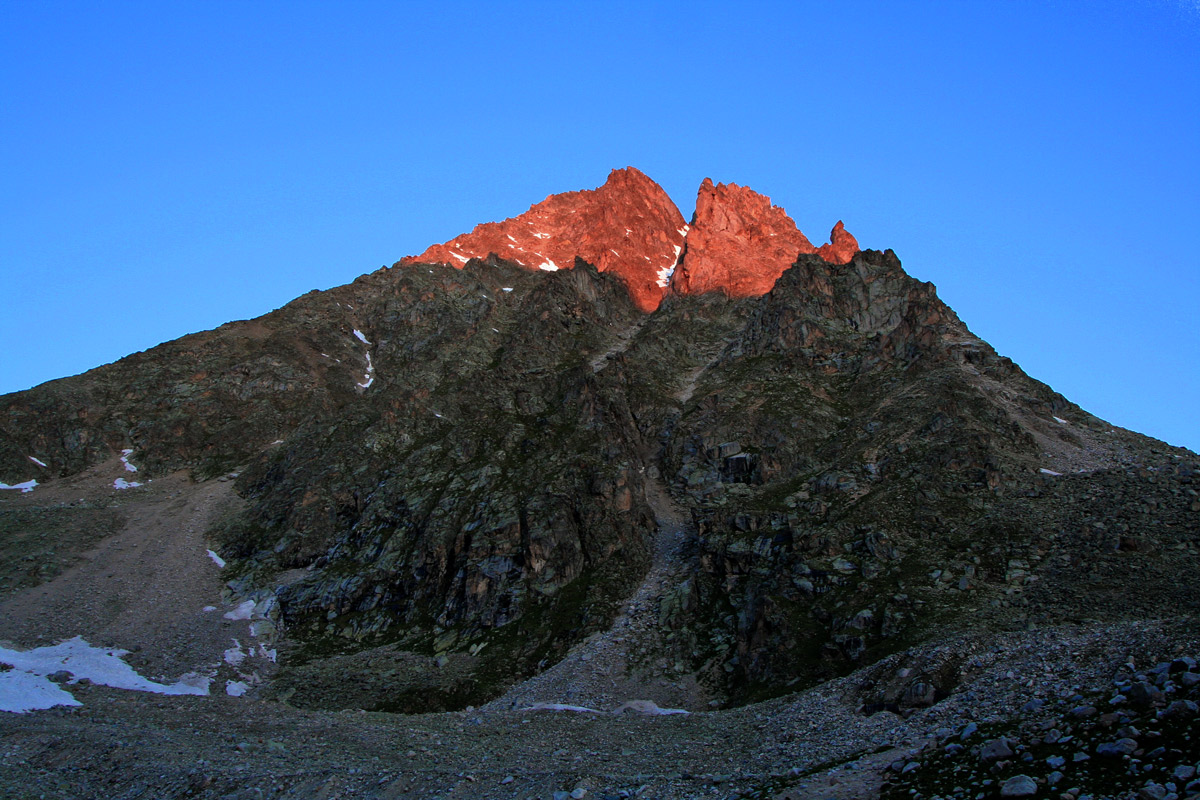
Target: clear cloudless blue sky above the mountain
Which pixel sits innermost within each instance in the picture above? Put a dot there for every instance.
(167, 167)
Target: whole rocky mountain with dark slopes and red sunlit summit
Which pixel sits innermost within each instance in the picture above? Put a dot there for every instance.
(595, 450)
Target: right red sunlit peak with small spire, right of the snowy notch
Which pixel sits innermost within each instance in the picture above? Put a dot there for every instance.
(740, 244)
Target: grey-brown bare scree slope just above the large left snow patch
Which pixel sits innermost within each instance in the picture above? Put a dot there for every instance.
(146, 587)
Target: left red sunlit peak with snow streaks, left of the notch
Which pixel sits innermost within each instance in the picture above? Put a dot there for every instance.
(629, 226)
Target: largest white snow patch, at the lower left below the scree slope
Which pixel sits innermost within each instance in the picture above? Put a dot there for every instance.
(104, 666)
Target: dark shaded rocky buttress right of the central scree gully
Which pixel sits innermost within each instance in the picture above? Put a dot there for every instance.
(861, 471)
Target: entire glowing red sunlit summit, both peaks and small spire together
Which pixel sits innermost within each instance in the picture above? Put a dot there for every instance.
(739, 244)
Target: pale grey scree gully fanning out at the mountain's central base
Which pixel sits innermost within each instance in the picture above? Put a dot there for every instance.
(608, 670)
